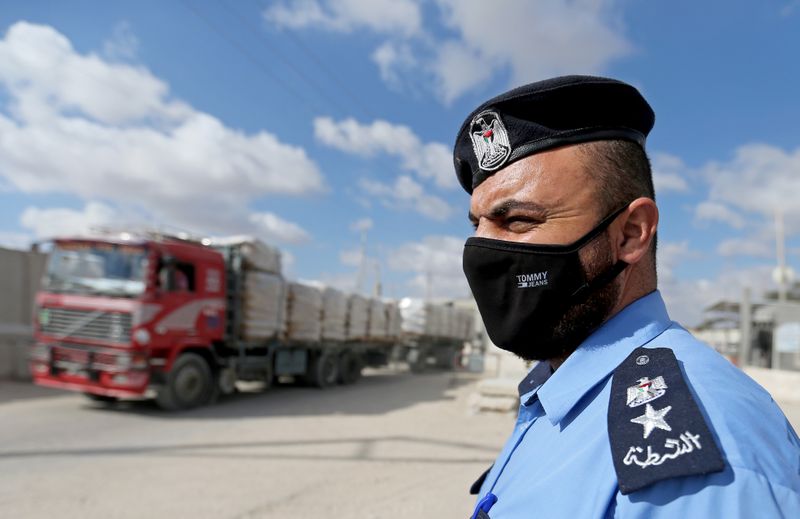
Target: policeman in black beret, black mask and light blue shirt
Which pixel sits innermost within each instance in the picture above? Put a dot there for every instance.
(627, 414)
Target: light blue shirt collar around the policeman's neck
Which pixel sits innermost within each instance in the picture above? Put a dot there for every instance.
(637, 324)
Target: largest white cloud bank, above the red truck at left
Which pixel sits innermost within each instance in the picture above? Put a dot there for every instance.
(79, 125)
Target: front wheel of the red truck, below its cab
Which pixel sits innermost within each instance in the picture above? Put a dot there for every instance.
(189, 384)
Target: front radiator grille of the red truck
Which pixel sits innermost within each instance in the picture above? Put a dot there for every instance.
(86, 324)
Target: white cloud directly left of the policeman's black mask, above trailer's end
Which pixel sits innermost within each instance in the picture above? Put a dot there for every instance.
(435, 263)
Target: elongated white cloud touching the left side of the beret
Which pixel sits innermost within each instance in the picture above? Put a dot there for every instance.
(431, 160)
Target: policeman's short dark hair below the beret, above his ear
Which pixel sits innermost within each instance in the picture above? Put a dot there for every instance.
(622, 172)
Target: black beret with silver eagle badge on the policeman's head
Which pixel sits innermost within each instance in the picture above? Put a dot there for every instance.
(545, 115)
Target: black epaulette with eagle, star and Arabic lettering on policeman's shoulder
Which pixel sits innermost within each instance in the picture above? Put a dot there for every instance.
(655, 427)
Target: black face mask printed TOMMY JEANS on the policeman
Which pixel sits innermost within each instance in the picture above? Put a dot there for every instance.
(523, 290)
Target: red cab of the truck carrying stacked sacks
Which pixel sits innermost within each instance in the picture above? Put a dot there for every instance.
(114, 314)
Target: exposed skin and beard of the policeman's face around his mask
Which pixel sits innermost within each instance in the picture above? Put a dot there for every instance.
(549, 198)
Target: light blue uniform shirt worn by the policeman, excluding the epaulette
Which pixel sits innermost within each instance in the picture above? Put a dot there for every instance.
(558, 461)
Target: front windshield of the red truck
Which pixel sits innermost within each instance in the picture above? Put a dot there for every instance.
(96, 268)
